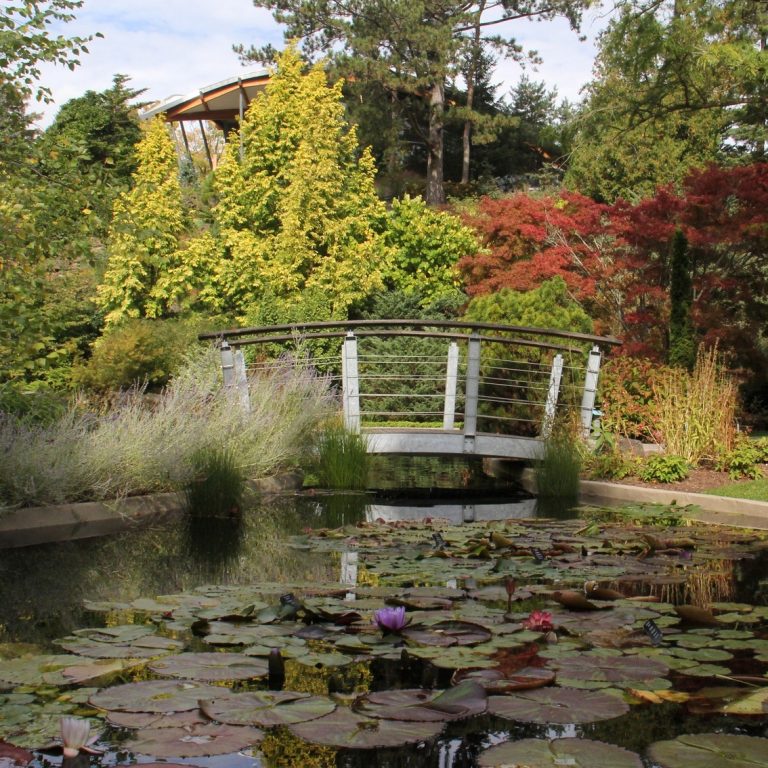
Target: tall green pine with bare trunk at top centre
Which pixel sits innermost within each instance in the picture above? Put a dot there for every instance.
(410, 47)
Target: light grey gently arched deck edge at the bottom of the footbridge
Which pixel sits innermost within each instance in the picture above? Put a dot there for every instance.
(440, 442)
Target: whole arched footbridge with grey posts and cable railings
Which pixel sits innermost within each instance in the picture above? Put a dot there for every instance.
(434, 387)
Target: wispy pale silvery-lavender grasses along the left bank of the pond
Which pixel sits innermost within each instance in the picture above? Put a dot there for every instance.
(130, 448)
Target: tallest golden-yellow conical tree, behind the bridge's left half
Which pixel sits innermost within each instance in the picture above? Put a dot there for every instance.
(299, 216)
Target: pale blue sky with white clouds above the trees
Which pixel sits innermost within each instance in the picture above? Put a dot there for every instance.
(176, 47)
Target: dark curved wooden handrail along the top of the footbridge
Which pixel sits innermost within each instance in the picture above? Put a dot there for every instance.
(259, 337)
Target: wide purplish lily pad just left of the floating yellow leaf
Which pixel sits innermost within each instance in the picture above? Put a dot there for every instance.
(557, 706)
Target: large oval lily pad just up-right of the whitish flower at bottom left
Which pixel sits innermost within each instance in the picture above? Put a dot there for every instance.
(158, 696)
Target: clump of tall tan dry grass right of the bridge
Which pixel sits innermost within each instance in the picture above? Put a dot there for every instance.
(695, 414)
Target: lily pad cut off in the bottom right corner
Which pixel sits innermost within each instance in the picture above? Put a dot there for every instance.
(710, 750)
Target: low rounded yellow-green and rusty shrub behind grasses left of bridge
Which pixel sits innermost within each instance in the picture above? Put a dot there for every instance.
(138, 352)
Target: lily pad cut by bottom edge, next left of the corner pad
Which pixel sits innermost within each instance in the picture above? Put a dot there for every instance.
(538, 753)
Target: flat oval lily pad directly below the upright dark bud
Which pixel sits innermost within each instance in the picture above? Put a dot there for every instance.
(267, 708)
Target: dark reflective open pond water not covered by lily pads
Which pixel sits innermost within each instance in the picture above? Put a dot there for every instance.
(43, 588)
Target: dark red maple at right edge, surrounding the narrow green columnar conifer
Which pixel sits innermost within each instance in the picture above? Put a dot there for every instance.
(721, 212)
